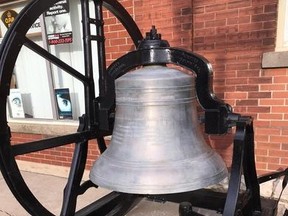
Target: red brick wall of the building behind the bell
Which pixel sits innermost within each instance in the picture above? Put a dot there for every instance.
(232, 35)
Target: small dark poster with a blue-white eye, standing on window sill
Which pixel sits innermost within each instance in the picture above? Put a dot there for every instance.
(63, 103)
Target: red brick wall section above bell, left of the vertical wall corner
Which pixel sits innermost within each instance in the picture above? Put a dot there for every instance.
(173, 19)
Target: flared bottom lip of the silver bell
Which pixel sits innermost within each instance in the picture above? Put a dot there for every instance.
(153, 190)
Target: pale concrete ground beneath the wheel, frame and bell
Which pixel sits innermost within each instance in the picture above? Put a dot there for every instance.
(49, 189)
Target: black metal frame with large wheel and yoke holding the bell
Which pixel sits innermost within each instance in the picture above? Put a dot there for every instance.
(98, 119)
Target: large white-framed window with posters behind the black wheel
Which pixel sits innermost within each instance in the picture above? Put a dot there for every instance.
(39, 84)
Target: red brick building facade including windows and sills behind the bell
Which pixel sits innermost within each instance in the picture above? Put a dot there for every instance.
(239, 38)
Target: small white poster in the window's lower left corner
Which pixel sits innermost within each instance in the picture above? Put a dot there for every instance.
(16, 104)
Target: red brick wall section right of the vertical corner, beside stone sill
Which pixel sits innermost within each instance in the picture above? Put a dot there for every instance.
(233, 35)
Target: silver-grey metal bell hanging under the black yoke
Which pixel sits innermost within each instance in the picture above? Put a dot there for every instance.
(157, 147)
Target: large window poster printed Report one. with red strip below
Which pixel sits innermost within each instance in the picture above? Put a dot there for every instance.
(58, 23)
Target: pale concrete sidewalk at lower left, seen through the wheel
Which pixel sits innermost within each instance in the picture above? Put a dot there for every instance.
(48, 189)
